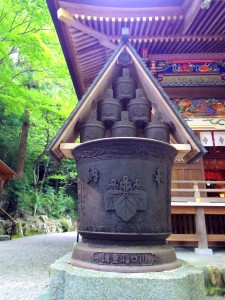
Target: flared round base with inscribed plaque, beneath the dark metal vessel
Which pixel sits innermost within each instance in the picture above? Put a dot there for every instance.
(124, 257)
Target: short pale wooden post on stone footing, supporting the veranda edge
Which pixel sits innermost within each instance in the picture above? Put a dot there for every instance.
(202, 233)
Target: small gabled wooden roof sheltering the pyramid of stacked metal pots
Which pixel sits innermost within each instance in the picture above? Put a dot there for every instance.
(184, 138)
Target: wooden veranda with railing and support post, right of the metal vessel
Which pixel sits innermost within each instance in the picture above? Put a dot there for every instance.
(197, 217)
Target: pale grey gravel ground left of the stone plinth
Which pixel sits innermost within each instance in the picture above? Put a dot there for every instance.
(24, 263)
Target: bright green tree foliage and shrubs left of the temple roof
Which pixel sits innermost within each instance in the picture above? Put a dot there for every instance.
(33, 77)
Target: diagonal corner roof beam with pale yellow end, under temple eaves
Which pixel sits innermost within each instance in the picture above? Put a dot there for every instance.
(64, 16)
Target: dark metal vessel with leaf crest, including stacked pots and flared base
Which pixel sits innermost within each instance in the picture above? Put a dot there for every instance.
(124, 185)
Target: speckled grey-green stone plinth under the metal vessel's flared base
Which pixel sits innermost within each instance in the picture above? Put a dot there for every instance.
(70, 283)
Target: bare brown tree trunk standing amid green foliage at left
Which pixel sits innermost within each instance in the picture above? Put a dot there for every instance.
(23, 144)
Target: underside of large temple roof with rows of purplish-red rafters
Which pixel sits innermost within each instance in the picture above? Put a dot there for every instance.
(89, 31)
